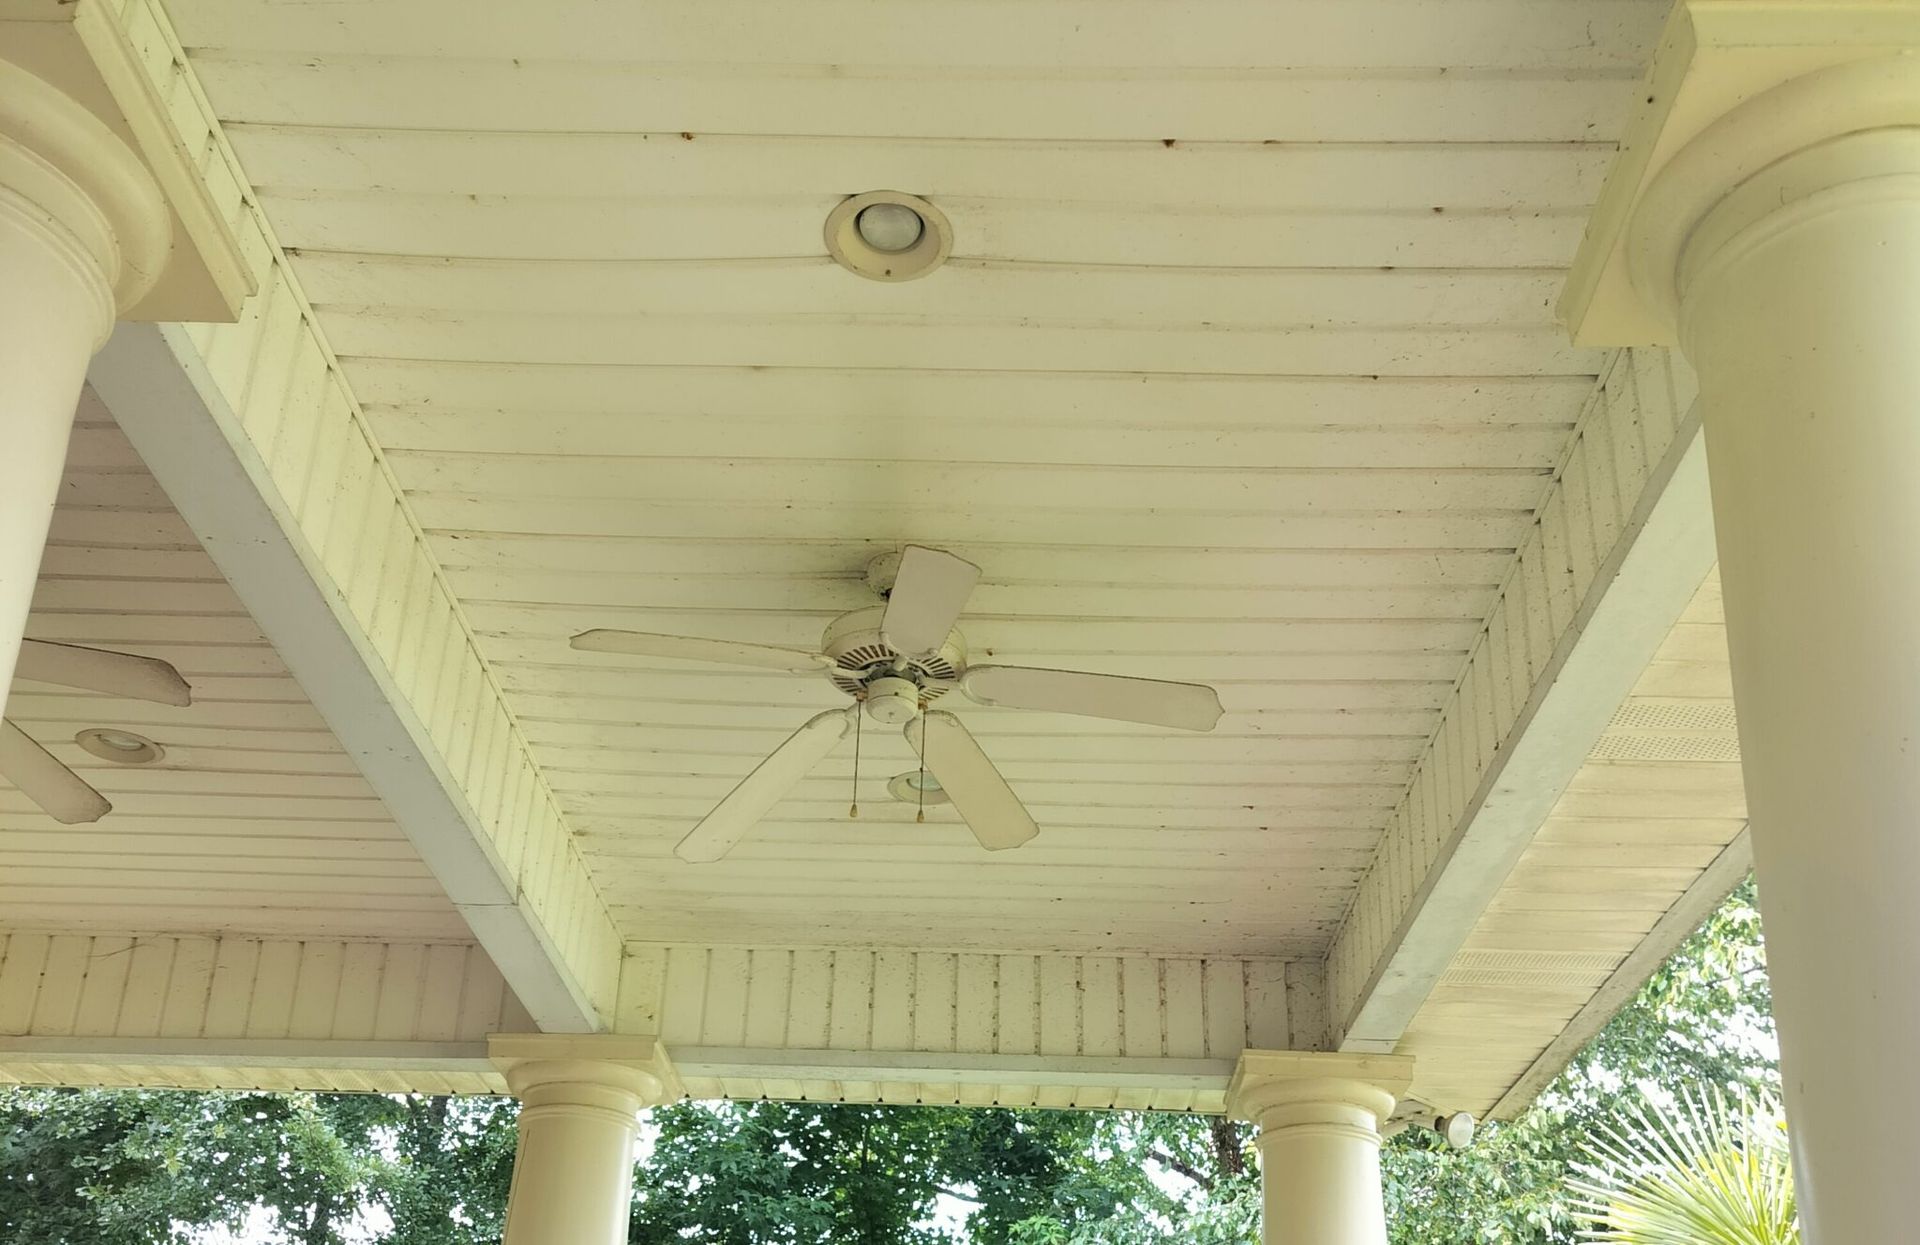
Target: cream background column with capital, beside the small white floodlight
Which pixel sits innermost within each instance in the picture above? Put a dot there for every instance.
(1320, 1142)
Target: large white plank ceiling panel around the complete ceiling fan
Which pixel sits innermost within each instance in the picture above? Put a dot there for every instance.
(1237, 376)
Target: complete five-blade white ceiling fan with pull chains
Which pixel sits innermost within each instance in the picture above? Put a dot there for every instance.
(898, 660)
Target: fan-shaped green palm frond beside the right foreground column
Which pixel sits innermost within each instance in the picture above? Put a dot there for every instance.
(1698, 1173)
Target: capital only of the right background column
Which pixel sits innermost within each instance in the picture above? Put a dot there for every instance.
(1285, 1088)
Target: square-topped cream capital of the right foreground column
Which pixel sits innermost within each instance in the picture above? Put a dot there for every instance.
(1737, 89)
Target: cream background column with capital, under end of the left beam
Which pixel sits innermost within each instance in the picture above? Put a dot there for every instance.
(581, 1100)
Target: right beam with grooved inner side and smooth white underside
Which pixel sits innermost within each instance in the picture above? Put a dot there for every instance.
(1620, 549)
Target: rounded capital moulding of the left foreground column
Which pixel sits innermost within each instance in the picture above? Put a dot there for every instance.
(68, 178)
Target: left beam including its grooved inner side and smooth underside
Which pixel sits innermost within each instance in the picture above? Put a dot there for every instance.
(454, 775)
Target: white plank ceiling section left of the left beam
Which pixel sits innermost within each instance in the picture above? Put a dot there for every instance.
(256, 821)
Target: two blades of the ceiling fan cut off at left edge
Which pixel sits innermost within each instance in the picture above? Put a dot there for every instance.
(36, 771)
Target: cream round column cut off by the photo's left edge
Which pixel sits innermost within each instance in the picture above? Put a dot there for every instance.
(84, 233)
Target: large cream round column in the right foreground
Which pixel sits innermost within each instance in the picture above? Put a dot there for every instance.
(1783, 245)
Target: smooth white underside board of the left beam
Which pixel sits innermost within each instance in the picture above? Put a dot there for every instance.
(178, 416)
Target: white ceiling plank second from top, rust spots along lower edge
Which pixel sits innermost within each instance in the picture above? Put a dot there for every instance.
(1428, 105)
